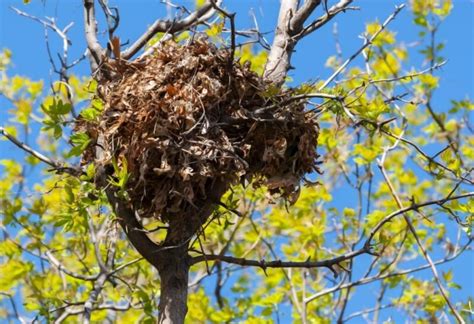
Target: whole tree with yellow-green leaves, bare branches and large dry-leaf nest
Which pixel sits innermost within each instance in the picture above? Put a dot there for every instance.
(80, 236)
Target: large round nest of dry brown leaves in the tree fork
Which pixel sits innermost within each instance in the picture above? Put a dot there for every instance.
(188, 117)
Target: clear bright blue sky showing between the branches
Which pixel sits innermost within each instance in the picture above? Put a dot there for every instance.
(25, 39)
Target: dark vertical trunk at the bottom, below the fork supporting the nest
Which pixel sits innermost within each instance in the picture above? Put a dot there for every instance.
(173, 270)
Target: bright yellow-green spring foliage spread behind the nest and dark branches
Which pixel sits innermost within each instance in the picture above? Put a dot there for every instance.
(58, 230)
